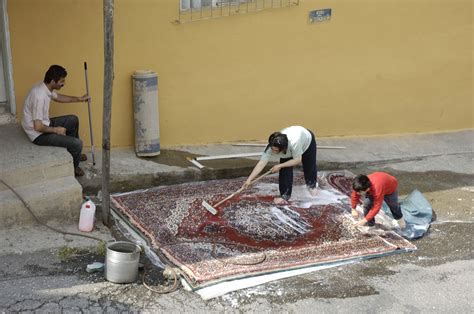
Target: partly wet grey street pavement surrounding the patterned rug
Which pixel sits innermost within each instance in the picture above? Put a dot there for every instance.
(436, 278)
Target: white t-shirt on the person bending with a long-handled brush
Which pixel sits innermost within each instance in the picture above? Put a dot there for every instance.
(299, 140)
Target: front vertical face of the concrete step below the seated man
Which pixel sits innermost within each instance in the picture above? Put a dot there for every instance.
(57, 200)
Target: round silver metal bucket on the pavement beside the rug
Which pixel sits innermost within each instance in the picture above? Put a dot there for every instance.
(121, 263)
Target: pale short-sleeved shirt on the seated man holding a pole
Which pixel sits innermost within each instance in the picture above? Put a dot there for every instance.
(36, 107)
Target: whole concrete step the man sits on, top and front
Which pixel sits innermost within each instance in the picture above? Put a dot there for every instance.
(42, 175)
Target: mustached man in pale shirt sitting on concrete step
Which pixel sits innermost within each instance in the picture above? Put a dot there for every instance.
(60, 131)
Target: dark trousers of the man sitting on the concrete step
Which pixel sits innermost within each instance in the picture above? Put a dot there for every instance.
(70, 141)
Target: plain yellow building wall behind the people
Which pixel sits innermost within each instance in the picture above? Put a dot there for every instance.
(378, 67)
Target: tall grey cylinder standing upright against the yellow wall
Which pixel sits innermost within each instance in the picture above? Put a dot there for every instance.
(145, 103)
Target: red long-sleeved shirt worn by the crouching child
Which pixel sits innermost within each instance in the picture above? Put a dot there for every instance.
(381, 184)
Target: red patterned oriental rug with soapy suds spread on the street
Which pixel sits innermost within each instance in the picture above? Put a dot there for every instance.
(251, 235)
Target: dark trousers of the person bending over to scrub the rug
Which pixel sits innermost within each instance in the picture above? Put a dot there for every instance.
(285, 179)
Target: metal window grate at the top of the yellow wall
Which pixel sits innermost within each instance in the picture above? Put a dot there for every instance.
(196, 10)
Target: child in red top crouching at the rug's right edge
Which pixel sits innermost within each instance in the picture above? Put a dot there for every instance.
(376, 187)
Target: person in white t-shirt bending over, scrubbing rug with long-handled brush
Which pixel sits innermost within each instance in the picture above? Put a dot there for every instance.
(293, 145)
